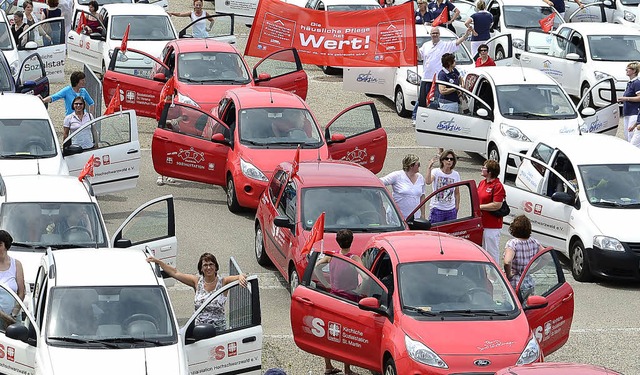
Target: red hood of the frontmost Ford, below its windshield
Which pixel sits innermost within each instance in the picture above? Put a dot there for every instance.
(497, 337)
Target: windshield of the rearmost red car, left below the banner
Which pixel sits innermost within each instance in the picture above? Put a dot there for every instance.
(215, 68)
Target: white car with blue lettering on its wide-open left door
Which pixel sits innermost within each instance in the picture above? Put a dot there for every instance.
(508, 109)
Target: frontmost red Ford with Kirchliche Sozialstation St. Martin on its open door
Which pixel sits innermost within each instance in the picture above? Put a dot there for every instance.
(430, 303)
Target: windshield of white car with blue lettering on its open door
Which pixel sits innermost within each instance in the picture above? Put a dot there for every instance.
(534, 102)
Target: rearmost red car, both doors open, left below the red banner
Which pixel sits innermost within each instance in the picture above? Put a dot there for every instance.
(204, 69)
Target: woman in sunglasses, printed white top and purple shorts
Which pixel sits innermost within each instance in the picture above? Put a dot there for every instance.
(444, 206)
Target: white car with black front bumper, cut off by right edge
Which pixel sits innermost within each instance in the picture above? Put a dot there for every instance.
(581, 194)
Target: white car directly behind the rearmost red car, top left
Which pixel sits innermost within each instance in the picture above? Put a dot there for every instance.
(151, 29)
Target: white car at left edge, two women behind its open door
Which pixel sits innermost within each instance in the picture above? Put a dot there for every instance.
(29, 145)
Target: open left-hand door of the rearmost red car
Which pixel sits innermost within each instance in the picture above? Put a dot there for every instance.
(140, 76)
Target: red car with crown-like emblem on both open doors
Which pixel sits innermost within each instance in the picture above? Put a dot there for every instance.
(257, 128)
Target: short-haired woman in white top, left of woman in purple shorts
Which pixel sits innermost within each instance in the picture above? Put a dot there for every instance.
(408, 186)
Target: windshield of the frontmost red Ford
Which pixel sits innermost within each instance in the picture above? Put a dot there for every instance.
(450, 286)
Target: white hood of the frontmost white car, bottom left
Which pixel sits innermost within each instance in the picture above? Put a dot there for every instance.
(157, 360)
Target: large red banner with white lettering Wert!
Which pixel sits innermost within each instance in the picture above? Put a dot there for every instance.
(375, 38)
